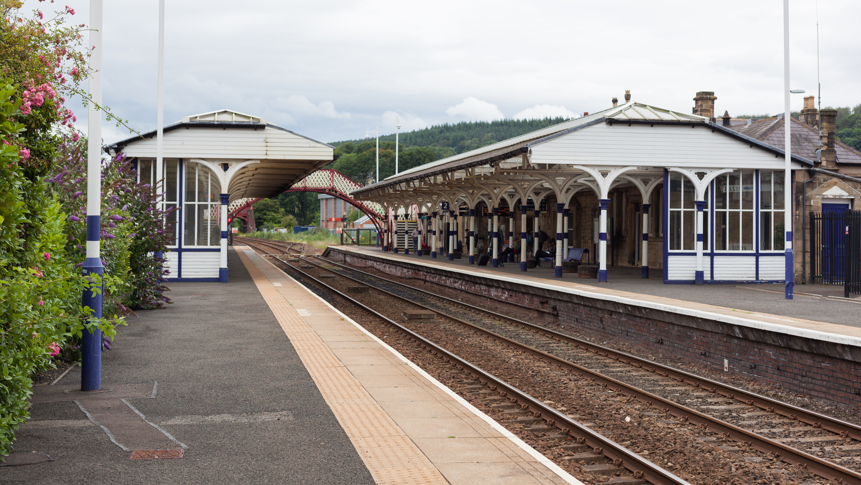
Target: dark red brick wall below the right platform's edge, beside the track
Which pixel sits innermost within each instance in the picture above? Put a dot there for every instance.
(797, 364)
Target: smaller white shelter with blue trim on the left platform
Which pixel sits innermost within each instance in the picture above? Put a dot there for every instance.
(213, 161)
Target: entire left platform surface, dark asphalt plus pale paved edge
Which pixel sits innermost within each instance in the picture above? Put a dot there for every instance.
(260, 381)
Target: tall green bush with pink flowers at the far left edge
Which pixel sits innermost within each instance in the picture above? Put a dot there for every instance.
(40, 285)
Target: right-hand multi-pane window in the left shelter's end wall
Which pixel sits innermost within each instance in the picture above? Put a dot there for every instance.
(202, 207)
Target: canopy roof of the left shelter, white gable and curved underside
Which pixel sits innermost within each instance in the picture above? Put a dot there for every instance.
(257, 159)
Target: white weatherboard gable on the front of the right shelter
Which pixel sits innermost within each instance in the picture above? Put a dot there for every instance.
(653, 146)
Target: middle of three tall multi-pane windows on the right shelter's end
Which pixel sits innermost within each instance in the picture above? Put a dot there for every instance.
(734, 211)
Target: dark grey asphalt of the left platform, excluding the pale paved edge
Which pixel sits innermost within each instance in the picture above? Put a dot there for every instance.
(223, 365)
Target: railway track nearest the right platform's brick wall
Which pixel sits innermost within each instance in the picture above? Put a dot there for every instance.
(752, 420)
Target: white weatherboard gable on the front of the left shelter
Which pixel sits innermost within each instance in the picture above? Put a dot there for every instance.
(232, 143)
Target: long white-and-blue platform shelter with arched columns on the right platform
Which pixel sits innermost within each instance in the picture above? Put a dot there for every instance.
(636, 184)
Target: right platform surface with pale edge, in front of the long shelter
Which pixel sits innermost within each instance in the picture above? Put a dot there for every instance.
(762, 306)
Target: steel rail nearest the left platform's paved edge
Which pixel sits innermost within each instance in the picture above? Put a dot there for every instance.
(620, 455)
